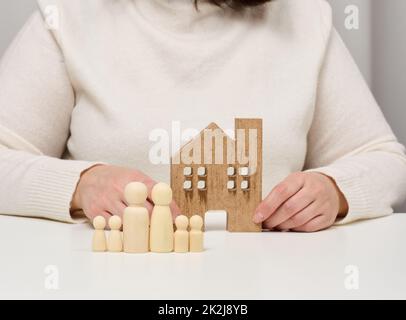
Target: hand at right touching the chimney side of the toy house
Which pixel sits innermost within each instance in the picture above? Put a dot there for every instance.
(305, 202)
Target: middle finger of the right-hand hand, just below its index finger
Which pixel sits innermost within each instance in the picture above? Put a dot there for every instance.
(291, 207)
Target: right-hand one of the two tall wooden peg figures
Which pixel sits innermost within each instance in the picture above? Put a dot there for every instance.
(161, 233)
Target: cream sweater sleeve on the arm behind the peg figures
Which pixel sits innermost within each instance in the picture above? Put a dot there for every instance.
(36, 102)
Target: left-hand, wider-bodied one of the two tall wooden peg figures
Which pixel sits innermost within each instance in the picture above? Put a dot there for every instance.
(136, 219)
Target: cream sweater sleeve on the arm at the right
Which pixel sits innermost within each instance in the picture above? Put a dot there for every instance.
(350, 140)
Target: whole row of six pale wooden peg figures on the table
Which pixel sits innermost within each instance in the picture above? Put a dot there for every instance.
(142, 234)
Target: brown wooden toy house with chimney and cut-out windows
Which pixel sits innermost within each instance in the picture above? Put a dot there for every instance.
(213, 172)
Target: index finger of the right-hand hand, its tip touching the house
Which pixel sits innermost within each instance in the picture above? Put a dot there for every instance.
(282, 192)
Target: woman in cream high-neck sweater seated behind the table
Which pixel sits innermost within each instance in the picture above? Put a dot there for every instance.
(86, 81)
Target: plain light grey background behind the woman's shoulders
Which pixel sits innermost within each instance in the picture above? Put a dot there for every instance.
(379, 47)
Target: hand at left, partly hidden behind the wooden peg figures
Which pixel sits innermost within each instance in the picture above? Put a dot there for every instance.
(100, 191)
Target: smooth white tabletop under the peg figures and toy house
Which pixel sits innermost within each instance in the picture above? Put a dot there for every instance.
(234, 266)
